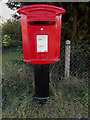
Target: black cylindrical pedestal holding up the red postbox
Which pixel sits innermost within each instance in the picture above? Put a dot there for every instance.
(41, 82)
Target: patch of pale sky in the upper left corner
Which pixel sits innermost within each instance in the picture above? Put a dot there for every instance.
(5, 12)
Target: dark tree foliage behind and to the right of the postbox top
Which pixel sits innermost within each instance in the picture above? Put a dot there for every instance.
(74, 22)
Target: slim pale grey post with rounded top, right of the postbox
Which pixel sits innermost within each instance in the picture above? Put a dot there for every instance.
(67, 59)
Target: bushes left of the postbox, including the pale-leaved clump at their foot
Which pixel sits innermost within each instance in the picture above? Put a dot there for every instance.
(11, 33)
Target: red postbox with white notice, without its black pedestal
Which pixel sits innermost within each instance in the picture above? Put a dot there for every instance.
(41, 33)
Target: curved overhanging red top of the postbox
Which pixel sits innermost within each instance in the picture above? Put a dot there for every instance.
(26, 9)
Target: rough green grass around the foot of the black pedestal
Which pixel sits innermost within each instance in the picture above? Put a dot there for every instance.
(67, 99)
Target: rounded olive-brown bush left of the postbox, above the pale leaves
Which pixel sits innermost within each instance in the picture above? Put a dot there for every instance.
(12, 29)
